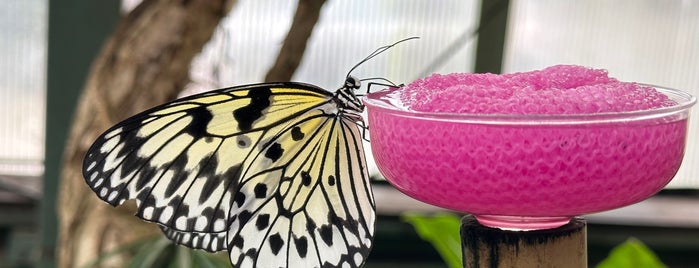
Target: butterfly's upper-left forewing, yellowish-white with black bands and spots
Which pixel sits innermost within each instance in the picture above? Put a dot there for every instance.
(182, 161)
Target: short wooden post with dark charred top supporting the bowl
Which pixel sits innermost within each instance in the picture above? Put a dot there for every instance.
(565, 246)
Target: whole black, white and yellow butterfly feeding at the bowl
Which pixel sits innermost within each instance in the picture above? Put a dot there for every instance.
(274, 173)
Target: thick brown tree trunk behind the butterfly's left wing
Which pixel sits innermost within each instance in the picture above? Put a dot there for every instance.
(146, 62)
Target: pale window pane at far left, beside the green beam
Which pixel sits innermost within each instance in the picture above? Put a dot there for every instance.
(22, 83)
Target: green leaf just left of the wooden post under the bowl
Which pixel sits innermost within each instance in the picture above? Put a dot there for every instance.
(442, 230)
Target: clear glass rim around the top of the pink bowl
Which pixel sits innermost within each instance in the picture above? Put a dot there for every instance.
(679, 111)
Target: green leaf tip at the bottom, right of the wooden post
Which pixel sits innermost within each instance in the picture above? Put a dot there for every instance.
(632, 254)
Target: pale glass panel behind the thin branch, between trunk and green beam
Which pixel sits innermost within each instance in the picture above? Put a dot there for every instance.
(347, 31)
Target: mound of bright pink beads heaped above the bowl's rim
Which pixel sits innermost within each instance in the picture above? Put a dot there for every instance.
(561, 89)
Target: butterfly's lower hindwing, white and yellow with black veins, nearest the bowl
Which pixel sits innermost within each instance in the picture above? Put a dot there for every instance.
(320, 213)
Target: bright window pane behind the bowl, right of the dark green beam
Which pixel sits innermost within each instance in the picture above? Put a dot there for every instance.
(647, 41)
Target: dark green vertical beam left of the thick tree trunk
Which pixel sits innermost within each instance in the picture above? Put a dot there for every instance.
(76, 31)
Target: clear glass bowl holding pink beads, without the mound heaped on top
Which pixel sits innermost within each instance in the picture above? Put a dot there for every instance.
(528, 172)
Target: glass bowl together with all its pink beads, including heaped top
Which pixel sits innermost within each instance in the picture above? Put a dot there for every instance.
(577, 143)
